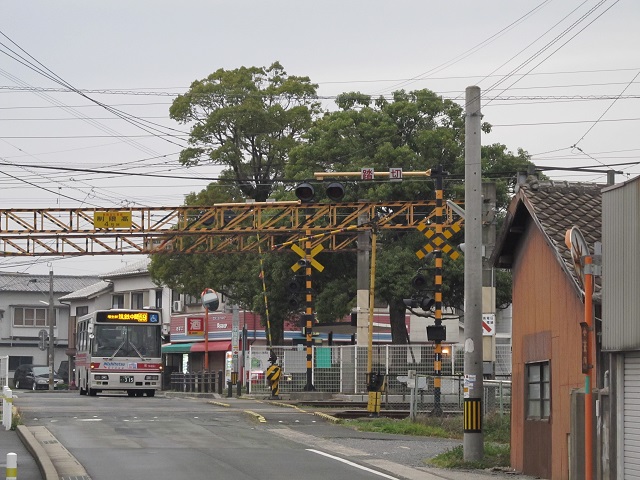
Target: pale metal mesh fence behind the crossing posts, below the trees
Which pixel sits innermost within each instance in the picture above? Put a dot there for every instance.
(342, 370)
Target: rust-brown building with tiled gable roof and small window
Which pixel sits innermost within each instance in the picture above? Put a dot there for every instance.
(547, 310)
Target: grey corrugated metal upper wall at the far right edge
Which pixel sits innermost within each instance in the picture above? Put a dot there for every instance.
(621, 266)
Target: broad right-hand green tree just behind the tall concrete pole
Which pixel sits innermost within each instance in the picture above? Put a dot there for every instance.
(415, 131)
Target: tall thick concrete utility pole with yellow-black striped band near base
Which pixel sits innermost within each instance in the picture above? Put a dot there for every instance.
(473, 444)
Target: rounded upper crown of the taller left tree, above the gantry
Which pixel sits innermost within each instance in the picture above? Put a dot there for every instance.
(246, 120)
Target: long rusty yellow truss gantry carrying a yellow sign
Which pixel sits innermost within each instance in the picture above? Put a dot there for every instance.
(219, 228)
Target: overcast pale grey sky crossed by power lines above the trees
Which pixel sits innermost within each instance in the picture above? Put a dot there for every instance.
(559, 80)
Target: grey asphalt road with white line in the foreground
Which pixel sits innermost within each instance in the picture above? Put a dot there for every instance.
(115, 436)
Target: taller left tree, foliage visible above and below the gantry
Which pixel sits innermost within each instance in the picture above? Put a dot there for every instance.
(246, 120)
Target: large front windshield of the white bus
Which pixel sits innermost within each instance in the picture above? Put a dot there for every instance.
(127, 341)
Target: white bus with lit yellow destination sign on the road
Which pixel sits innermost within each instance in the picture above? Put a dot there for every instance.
(119, 350)
